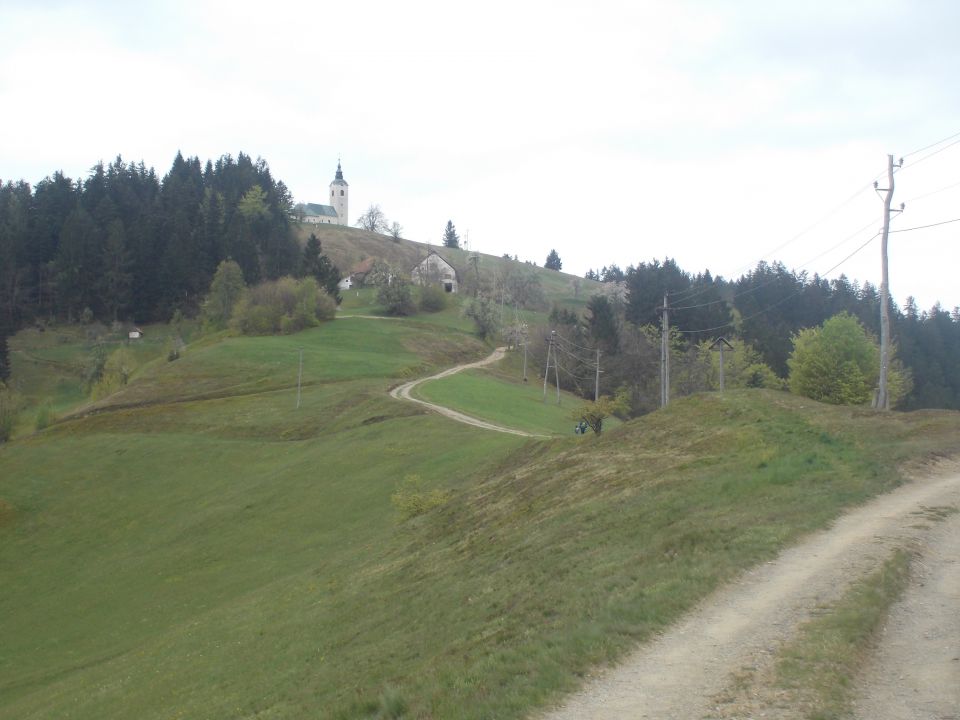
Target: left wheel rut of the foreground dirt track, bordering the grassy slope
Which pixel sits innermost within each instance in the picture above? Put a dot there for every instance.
(677, 674)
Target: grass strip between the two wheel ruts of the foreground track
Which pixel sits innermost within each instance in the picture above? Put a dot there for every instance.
(818, 668)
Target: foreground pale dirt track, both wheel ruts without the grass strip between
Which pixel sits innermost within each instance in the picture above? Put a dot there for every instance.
(917, 671)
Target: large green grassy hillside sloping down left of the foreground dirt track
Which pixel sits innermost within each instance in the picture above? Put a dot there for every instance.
(199, 547)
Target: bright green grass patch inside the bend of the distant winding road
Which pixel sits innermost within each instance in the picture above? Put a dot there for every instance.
(495, 399)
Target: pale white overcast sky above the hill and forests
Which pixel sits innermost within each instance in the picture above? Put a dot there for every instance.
(713, 132)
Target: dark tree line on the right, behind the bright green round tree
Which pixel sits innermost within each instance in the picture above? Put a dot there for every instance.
(764, 311)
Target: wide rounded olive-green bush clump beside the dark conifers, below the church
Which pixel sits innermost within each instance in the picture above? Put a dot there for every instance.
(282, 306)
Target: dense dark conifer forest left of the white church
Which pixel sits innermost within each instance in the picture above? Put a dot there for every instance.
(127, 244)
